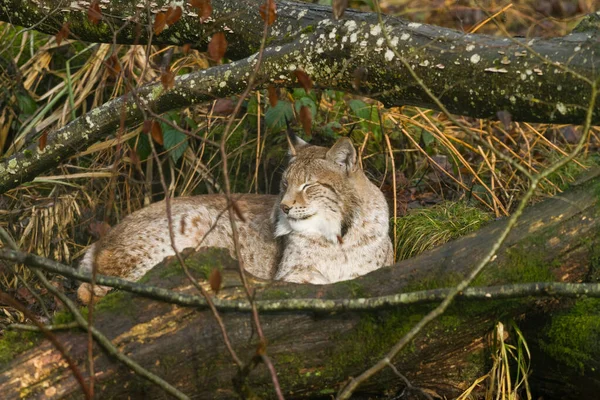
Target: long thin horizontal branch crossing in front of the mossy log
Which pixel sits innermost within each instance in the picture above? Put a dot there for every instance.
(491, 293)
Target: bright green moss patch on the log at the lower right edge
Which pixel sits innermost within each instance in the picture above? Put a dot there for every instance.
(573, 337)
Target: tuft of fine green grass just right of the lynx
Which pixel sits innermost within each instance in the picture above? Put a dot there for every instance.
(426, 228)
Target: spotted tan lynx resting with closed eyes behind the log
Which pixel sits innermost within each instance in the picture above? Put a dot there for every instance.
(332, 220)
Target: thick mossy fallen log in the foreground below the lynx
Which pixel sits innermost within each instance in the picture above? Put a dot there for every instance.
(315, 352)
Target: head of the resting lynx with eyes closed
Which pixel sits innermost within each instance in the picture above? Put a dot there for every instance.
(318, 195)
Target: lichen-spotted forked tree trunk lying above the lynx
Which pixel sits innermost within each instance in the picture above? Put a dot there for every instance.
(545, 80)
